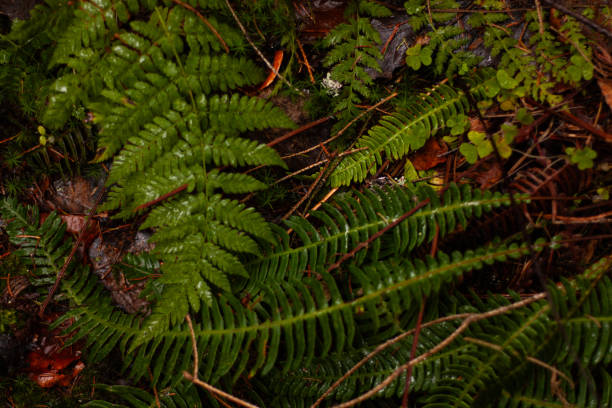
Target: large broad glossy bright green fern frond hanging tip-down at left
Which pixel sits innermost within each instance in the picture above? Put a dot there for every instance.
(162, 90)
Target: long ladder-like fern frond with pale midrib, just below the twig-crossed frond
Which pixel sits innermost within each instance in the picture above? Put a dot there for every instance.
(290, 323)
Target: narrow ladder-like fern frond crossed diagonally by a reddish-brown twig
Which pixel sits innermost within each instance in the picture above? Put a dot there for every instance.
(352, 219)
